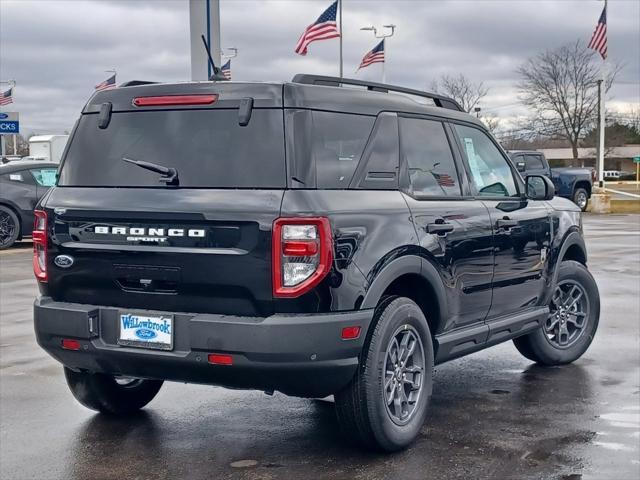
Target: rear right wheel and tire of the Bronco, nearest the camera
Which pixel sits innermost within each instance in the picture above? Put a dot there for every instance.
(361, 407)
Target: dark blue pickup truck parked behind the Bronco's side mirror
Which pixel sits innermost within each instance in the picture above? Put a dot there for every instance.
(572, 183)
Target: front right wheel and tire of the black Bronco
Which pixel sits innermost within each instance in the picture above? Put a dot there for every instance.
(549, 345)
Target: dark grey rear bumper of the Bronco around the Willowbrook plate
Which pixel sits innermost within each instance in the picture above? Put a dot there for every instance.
(300, 355)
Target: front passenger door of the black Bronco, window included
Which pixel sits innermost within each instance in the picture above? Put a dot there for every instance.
(521, 227)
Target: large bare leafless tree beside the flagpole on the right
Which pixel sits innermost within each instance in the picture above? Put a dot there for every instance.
(560, 88)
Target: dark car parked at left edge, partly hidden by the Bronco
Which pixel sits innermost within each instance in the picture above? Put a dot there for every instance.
(21, 185)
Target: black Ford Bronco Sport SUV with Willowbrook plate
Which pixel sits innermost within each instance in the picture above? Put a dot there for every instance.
(323, 236)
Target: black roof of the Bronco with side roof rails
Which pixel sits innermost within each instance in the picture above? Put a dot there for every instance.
(305, 91)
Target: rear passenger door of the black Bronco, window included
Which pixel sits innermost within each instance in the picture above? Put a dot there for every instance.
(453, 228)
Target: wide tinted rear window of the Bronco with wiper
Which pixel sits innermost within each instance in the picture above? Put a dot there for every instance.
(207, 147)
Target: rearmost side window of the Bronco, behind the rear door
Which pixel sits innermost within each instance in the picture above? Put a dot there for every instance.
(338, 142)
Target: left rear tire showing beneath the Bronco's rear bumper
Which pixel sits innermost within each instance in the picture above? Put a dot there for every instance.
(105, 394)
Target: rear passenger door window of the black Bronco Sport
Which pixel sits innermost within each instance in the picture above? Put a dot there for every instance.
(427, 154)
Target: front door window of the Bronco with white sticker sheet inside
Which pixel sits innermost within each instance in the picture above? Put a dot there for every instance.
(490, 172)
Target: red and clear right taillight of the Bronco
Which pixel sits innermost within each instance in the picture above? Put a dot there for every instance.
(302, 254)
